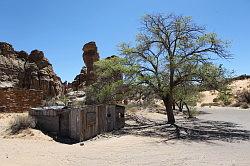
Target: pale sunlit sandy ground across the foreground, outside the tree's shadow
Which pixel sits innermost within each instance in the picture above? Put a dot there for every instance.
(229, 149)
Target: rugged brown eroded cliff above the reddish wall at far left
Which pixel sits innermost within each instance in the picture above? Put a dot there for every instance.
(29, 71)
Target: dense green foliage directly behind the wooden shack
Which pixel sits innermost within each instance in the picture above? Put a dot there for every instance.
(114, 79)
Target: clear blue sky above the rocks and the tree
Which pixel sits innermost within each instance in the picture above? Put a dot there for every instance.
(61, 27)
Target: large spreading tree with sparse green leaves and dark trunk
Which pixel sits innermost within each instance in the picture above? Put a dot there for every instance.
(168, 53)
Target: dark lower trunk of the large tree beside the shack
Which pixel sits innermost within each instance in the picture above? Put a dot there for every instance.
(168, 102)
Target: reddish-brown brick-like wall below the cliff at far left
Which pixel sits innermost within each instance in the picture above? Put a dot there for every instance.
(19, 100)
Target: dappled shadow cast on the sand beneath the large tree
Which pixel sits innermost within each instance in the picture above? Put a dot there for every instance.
(186, 129)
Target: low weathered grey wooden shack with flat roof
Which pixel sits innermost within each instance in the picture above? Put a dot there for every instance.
(79, 123)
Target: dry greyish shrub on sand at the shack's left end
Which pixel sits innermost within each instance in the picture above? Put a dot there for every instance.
(20, 123)
